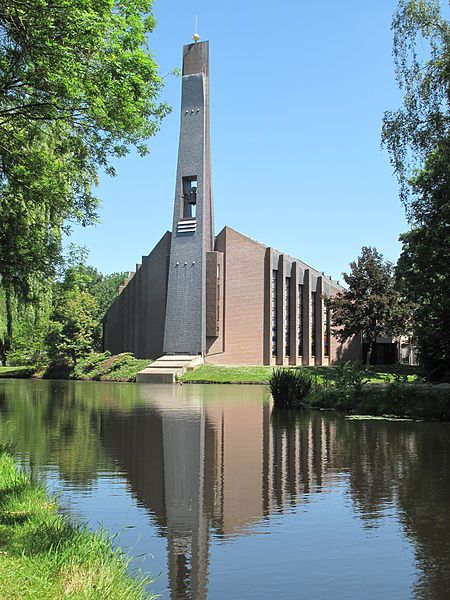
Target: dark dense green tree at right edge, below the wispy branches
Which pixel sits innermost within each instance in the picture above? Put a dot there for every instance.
(424, 264)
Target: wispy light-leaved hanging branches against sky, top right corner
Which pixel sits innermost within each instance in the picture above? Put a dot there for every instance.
(421, 53)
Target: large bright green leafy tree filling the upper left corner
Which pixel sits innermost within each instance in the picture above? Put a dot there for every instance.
(78, 86)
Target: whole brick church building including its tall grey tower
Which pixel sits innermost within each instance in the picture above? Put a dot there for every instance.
(225, 297)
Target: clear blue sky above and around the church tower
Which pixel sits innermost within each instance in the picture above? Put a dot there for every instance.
(298, 91)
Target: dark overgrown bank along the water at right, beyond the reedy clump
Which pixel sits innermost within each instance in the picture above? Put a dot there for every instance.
(417, 401)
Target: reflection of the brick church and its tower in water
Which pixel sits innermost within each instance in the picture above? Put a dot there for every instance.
(207, 468)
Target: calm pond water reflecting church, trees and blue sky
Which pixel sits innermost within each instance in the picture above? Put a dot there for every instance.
(221, 497)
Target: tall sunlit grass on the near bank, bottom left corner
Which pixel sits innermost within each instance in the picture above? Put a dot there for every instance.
(44, 555)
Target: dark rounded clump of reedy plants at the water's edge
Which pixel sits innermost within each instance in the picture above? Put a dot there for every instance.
(289, 387)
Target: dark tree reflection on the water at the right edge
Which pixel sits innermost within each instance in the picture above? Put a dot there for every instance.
(407, 464)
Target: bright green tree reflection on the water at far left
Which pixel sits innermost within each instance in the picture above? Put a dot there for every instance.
(60, 423)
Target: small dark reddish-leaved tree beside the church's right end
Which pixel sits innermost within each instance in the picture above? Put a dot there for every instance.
(366, 306)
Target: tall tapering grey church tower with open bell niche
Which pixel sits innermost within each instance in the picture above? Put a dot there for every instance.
(193, 229)
